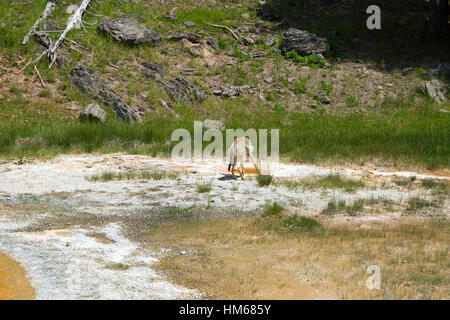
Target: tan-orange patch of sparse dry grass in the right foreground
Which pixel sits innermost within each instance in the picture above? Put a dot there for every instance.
(236, 259)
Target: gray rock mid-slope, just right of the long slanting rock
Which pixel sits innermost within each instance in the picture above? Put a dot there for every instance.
(183, 90)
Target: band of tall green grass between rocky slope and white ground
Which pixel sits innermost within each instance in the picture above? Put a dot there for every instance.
(414, 137)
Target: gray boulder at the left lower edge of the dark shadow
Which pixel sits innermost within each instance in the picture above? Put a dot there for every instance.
(303, 42)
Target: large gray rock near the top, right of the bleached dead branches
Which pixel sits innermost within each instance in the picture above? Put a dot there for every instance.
(126, 30)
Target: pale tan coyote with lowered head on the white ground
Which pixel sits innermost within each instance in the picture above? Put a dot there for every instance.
(238, 152)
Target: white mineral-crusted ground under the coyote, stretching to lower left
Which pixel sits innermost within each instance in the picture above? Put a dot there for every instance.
(78, 238)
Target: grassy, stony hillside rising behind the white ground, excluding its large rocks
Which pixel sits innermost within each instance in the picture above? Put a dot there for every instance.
(376, 113)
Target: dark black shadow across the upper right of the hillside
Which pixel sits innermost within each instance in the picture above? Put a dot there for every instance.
(403, 41)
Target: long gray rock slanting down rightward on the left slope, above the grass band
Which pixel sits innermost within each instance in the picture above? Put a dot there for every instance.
(84, 79)
